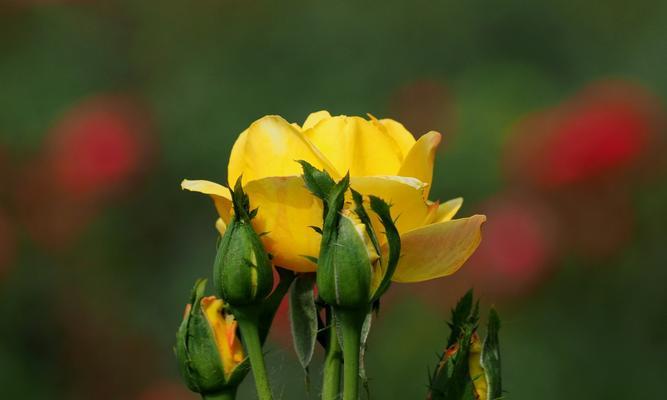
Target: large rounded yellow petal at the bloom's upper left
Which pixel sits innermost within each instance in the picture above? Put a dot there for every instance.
(270, 147)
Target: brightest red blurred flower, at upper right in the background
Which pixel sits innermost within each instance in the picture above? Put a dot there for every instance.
(603, 130)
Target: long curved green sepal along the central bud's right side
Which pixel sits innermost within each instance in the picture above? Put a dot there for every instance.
(381, 208)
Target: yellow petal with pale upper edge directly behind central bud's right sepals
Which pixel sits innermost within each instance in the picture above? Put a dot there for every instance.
(403, 194)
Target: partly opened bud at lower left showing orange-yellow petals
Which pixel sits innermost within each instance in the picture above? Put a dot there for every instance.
(210, 355)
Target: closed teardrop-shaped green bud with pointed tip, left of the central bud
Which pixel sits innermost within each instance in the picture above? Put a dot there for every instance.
(243, 271)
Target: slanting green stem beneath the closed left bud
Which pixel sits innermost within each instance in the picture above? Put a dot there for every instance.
(248, 324)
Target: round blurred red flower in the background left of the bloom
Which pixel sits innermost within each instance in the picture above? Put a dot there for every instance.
(99, 146)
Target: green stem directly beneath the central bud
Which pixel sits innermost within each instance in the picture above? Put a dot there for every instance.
(351, 322)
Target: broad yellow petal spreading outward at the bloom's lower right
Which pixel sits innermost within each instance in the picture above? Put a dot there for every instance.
(437, 250)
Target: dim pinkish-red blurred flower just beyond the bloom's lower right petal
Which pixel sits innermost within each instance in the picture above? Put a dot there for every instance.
(517, 254)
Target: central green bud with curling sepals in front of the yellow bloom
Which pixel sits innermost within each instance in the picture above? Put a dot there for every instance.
(351, 272)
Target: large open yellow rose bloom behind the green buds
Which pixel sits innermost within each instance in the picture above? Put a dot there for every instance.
(382, 158)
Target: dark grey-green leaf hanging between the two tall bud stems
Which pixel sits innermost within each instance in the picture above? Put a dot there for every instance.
(303, 317)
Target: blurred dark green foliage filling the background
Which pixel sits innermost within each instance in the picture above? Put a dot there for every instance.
(97, 318)
